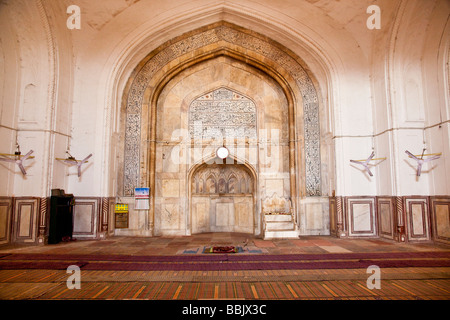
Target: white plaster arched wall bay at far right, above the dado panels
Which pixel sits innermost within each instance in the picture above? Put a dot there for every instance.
(416, 101)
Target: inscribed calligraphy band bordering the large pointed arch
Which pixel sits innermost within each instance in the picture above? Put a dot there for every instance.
(225, 36)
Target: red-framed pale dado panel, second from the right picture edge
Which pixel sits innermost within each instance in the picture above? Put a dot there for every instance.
(417, 219)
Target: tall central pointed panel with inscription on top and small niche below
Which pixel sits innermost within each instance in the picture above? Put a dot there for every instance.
(222, 191)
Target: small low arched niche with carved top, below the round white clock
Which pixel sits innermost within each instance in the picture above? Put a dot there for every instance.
(216, 210)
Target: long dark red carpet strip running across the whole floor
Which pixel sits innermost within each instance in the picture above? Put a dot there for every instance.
(226, 261)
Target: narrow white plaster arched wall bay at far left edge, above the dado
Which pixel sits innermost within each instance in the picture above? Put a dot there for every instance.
(24, 97)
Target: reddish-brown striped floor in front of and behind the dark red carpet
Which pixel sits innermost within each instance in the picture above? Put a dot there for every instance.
(399, 283)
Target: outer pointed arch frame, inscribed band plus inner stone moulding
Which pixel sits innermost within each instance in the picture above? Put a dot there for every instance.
(221, 39)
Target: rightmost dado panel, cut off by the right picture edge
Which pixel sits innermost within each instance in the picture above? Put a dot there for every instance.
(440, 218)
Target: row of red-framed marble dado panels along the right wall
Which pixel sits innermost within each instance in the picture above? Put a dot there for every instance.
(398, 218)
